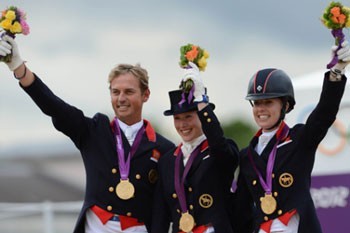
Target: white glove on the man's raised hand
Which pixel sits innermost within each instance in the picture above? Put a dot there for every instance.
(7, 44)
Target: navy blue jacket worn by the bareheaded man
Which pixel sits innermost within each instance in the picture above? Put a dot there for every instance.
(95, 140)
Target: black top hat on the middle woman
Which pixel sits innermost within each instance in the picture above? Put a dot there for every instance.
(179, 106)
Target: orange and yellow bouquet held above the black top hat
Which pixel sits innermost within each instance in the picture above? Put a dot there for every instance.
(195, 54)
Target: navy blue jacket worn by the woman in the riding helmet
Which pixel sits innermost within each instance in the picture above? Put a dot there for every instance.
(294, 162)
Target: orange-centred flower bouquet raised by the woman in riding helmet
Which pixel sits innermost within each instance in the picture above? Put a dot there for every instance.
(336, 17)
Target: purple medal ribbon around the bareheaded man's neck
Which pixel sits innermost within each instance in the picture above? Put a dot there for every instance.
(124, 165)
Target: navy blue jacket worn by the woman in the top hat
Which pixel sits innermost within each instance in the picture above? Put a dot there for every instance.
(207, 185)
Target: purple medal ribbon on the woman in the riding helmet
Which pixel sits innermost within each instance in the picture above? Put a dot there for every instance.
(267, 186)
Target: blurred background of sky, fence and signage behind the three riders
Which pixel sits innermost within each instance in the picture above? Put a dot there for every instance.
(73, 45)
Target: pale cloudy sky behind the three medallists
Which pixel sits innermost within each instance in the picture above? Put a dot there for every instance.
(73, 45)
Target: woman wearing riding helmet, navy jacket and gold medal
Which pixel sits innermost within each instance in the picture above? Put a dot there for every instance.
(273, 188)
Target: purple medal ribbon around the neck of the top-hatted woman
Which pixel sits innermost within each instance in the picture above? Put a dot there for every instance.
(179, 184)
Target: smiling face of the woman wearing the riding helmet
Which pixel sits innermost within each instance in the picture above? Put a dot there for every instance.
(267, 112)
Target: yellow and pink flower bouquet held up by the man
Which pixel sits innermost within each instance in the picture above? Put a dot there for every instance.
(12, 22)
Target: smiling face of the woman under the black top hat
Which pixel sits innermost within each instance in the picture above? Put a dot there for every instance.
(188, 126)
